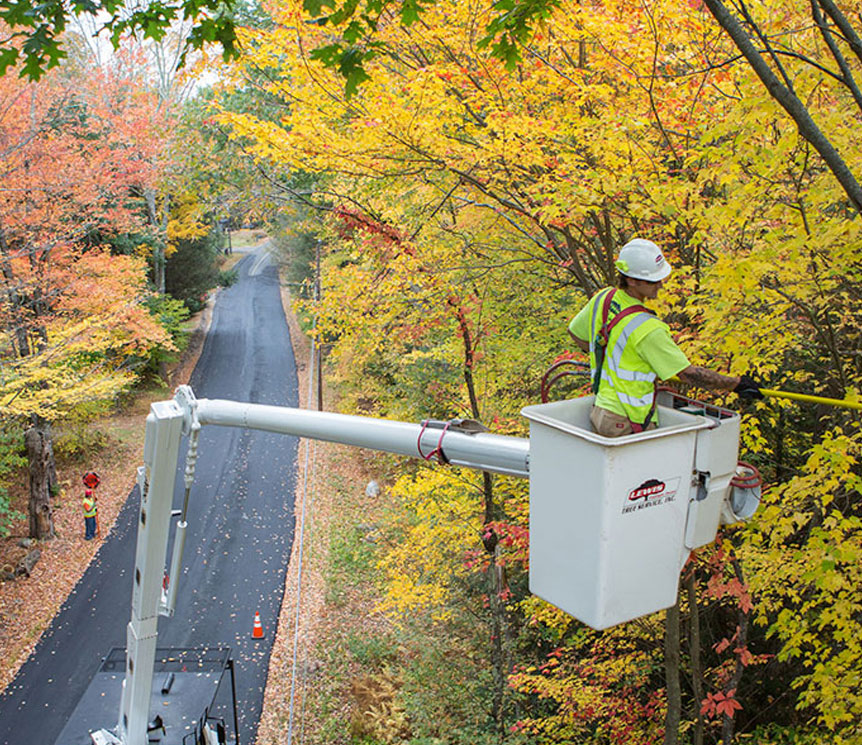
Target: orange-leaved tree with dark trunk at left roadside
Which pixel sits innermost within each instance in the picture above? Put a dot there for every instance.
(72, 314)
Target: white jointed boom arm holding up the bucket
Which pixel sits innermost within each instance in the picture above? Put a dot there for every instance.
(168, 420)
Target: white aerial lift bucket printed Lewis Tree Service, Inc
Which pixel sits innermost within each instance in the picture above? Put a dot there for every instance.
(612, 520)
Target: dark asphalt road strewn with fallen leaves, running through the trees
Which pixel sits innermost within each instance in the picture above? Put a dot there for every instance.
(238, 543)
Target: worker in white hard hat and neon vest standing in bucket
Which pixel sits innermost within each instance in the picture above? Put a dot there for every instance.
(630, 347)
